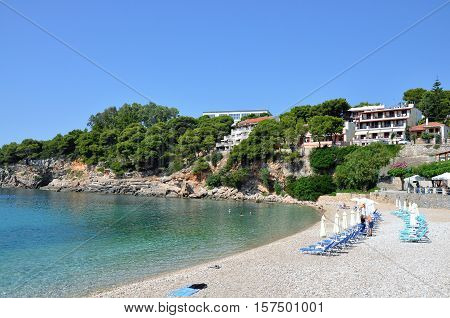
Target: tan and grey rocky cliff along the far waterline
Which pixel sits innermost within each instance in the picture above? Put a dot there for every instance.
(60, 175)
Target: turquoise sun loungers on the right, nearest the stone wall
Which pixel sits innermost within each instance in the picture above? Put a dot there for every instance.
(413, 232)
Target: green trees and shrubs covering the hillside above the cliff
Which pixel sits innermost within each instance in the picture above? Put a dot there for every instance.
(155, 140)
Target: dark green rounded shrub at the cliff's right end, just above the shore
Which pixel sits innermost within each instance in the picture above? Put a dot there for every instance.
(310, 188)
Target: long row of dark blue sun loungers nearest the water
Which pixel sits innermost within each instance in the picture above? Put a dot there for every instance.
(340, 242)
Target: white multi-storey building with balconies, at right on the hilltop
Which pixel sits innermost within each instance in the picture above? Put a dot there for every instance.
(379, 123)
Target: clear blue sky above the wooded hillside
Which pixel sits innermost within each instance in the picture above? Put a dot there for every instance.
(201, 55)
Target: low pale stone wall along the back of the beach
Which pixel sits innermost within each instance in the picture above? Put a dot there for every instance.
(423, 200)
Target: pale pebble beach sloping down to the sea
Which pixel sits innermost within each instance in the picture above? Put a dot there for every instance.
(378, 266)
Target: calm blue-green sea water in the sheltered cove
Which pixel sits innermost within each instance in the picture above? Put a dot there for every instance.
(71, 244)
